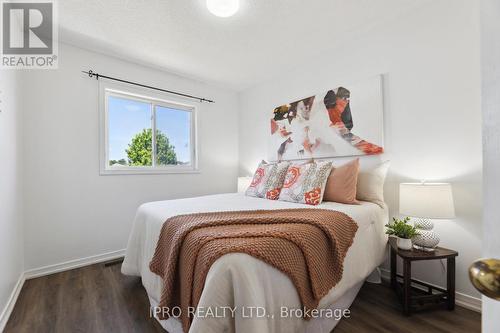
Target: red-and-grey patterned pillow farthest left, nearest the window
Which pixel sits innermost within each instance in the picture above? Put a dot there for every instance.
(268, 180)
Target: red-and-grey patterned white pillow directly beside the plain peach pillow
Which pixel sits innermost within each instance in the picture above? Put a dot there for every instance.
(305, 183)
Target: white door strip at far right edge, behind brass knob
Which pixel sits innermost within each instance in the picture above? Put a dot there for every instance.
(490, 70)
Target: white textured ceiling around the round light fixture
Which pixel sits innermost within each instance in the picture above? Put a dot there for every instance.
(264, 39)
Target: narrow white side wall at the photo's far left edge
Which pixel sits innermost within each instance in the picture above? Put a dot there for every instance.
(11, 226)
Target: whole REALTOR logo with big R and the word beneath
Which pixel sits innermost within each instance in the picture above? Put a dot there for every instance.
(29, 34)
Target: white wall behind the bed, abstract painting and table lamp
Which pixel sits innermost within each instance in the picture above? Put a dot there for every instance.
(430, 60)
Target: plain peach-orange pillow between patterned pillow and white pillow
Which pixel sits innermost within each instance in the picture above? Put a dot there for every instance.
(342, 182)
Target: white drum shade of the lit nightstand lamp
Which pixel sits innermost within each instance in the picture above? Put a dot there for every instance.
(426, 200)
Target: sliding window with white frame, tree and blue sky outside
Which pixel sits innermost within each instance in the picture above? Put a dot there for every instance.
(143, 132)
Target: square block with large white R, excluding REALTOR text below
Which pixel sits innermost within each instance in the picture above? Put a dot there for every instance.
(27, 27)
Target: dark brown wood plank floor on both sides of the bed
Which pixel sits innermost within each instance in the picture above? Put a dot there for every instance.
(100, 299)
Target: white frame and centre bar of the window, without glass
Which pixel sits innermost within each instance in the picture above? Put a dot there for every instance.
(107, 89)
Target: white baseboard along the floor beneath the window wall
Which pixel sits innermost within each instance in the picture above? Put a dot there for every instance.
(72, 264)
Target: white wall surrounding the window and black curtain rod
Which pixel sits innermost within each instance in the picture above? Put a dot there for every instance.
(72, 212)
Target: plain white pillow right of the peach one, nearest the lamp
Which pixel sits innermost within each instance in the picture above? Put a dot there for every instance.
(371, 184)
